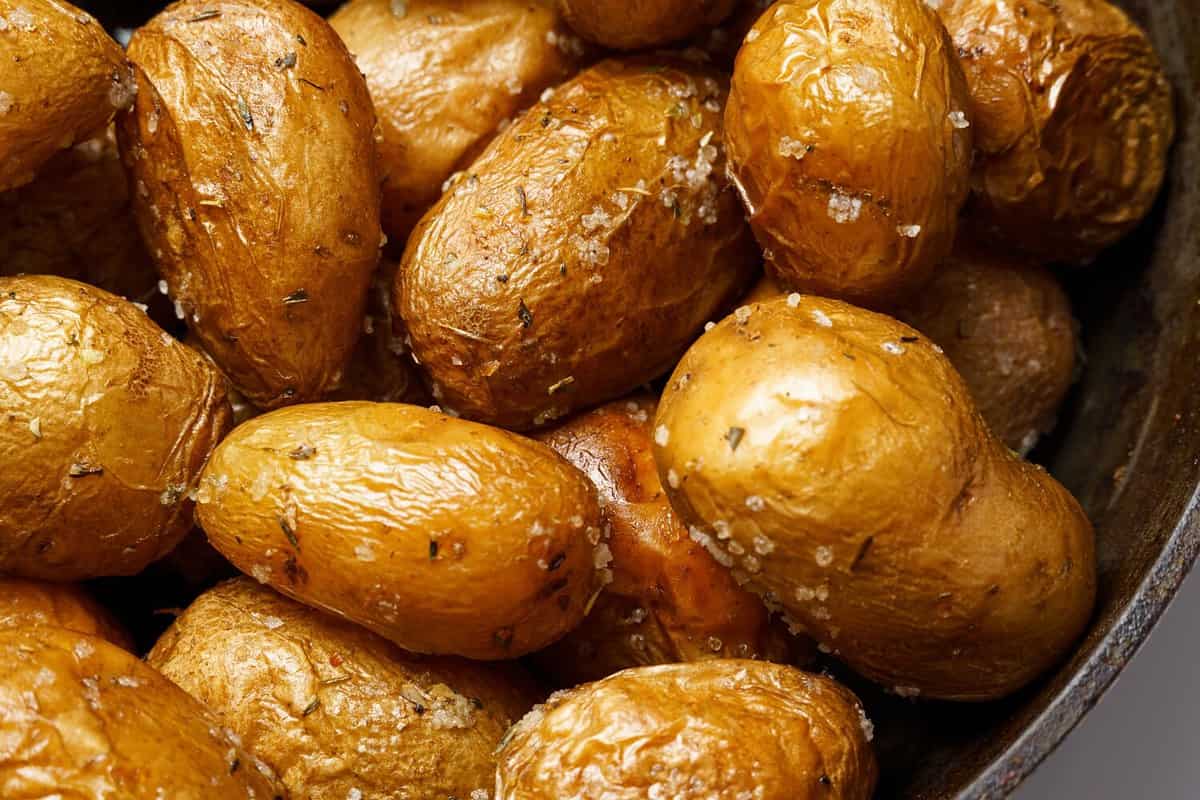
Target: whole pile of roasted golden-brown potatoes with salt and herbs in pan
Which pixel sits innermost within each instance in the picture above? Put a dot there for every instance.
(658, 353)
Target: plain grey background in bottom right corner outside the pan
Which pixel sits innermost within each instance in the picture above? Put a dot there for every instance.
(1143, 741)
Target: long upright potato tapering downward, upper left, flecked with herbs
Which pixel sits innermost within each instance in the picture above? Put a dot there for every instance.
(262, 191)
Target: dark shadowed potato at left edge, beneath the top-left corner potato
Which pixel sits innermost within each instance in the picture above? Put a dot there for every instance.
(75, 221)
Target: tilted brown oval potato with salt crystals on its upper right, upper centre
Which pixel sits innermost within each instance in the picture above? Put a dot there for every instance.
(583, 251)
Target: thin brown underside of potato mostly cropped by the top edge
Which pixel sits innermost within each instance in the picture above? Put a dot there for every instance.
(638, 25)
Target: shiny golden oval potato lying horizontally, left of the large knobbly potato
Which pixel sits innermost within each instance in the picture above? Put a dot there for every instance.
(385, 489)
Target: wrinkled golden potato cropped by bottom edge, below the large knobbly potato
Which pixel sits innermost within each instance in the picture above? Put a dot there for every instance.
(712, 731)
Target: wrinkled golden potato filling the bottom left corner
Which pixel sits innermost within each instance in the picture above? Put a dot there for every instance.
(83, 719)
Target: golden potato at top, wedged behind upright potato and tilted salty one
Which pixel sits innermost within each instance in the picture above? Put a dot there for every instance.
(446, 76)
